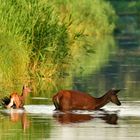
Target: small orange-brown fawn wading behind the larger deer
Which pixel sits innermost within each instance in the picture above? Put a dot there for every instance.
(16, 101)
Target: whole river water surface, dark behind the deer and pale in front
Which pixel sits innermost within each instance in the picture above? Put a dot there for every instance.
(120, 69)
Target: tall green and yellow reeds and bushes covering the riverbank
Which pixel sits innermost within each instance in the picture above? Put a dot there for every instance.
(41, 40)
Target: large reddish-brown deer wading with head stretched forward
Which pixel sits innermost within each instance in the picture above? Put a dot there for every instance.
(66, 100)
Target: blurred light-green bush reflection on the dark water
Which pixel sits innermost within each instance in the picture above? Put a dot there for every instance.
(87, 62)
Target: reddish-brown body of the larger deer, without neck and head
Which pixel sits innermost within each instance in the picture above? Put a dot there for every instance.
(70, 99)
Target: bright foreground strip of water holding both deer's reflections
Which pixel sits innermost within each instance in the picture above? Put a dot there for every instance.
(41, 122)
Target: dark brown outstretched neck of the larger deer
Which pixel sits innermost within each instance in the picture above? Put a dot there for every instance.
(100, 102)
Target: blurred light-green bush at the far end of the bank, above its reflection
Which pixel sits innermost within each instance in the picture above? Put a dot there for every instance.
(94, 17)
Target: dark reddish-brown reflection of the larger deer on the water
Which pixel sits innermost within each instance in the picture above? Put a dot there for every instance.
(69, 117)
